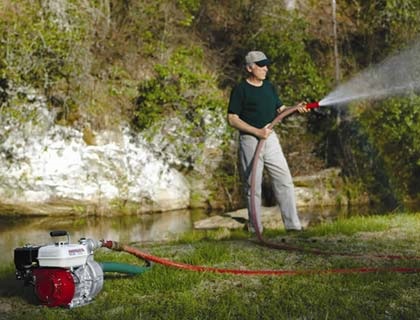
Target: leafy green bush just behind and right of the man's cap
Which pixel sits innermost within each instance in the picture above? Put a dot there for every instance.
(282, 38)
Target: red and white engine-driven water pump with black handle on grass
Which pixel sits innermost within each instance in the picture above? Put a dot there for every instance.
(62, 274)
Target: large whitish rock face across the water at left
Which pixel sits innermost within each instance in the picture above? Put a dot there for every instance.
(43, 162)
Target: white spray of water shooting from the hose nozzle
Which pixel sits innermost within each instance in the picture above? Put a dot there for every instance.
(396, 75)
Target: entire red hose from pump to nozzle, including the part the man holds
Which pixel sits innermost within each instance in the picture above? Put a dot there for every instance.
(148, 257)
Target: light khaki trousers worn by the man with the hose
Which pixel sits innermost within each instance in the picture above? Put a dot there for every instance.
(272, 158)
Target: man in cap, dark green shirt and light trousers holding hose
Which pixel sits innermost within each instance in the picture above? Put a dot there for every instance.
(253, 104)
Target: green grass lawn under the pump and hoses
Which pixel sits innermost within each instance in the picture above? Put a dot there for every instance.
(167, 293)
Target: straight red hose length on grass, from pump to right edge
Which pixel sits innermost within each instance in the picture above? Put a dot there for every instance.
(179, 265)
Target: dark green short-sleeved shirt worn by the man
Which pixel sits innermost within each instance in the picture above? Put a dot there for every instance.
(256, 106)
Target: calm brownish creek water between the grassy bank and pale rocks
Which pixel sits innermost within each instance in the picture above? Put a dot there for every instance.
(158, 227)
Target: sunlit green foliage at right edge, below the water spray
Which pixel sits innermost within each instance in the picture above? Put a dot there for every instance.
(393, 127)
